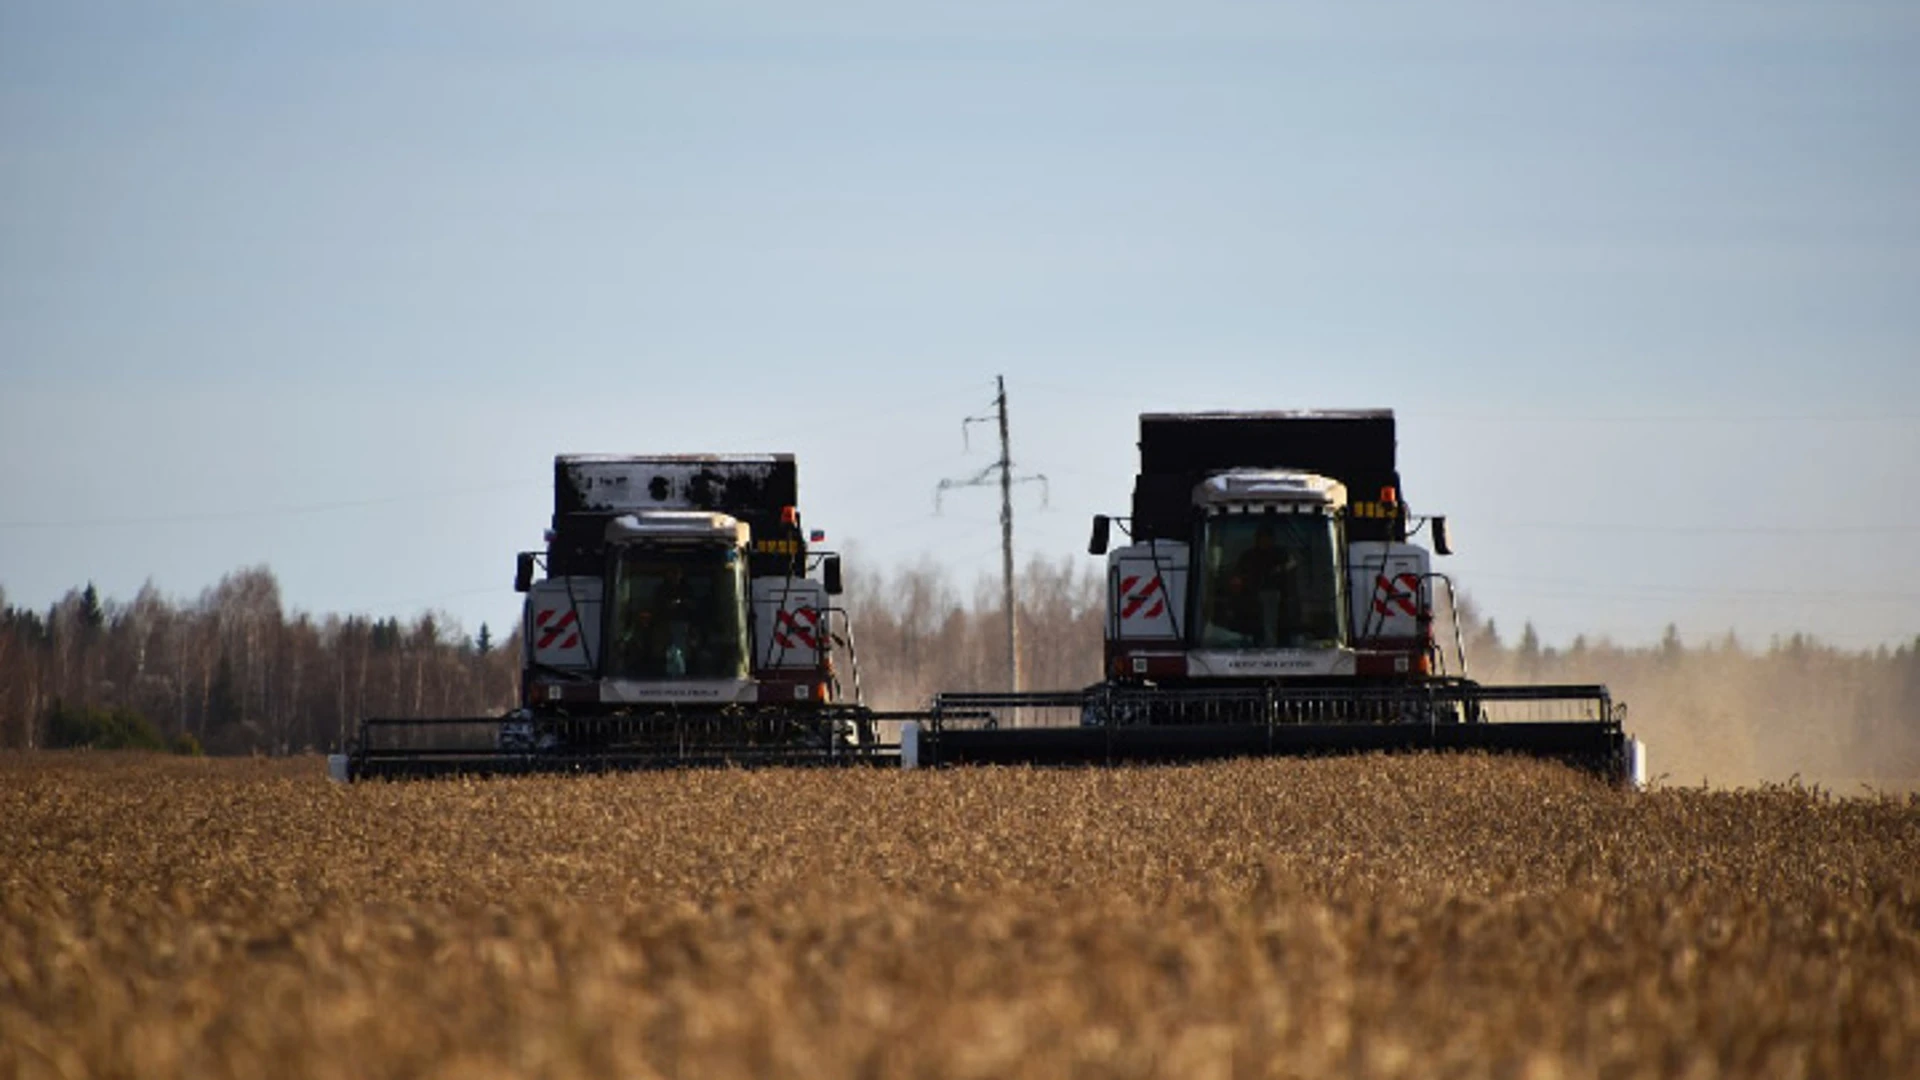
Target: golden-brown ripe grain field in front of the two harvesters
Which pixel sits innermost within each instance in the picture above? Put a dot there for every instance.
(1358, 918)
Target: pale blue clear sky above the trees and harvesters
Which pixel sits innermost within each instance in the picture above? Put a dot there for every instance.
(329, 285)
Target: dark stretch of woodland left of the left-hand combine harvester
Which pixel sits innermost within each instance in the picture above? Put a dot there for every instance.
(231, 672)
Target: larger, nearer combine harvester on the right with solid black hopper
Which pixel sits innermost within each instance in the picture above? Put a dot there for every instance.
(1272, 602)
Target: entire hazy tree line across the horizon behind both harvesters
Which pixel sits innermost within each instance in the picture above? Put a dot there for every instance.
(235, 672)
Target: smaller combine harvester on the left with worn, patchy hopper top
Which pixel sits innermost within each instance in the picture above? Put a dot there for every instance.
(679, 616)
